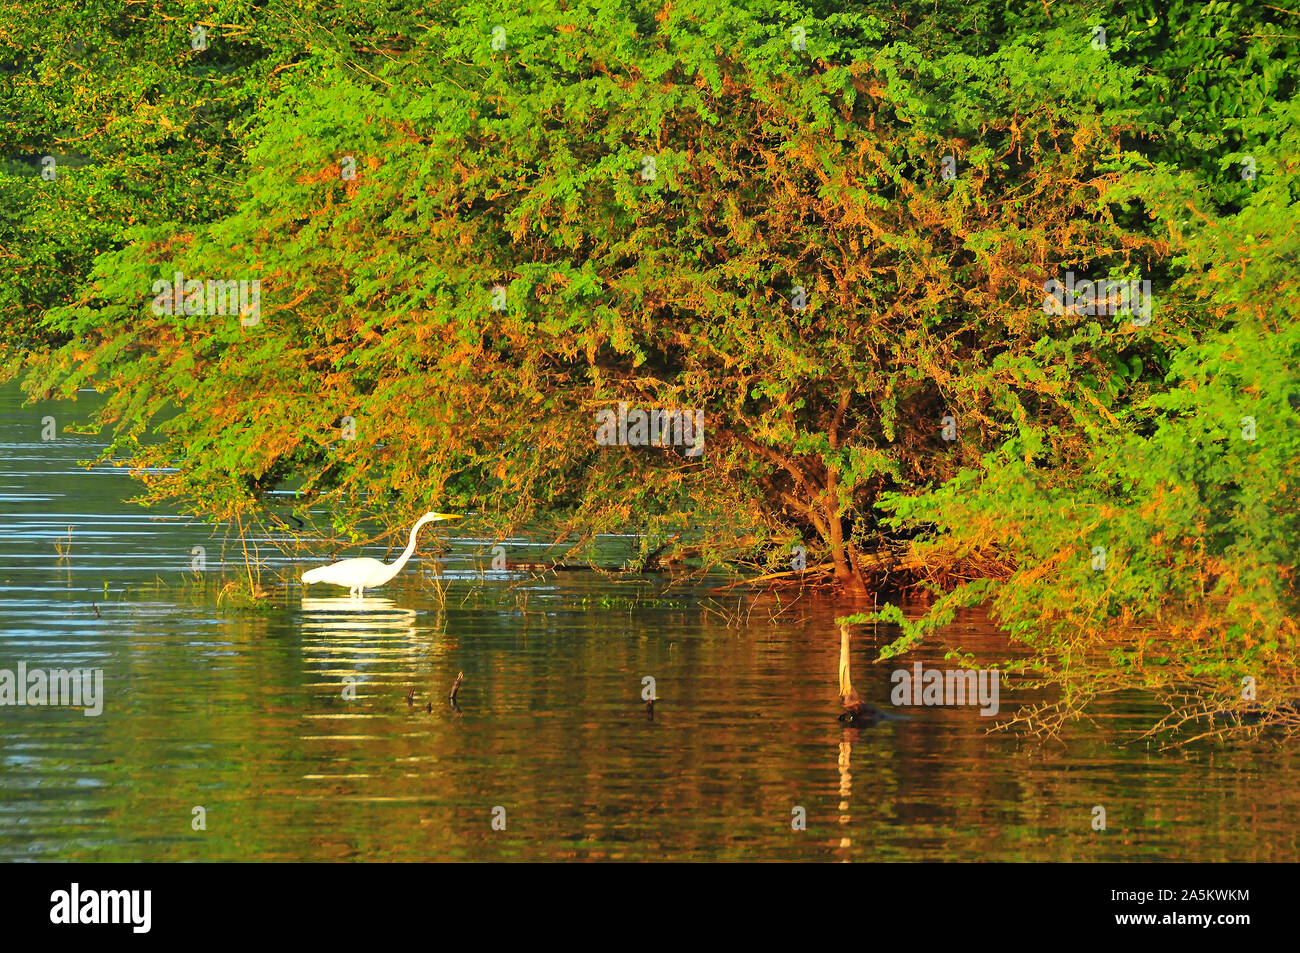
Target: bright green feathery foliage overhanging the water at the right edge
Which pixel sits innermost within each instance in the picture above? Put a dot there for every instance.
(1190, 491)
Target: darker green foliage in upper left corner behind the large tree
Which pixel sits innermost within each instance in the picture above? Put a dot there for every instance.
(144, 128)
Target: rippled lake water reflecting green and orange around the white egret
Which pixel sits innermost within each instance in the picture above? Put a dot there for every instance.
(289, 725)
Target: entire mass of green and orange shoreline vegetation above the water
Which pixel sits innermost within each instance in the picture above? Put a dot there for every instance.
(990, 305)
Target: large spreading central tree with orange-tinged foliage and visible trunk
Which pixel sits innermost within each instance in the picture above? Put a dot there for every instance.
(774, 168)
